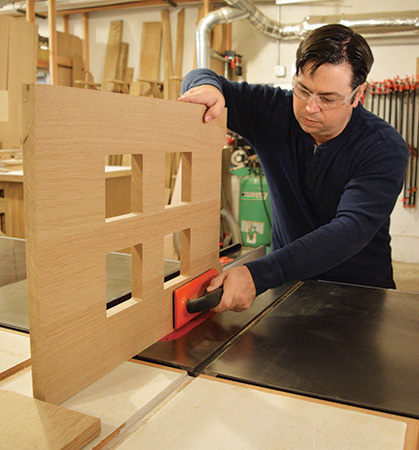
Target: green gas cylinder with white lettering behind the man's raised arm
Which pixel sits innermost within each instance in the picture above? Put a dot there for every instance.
(255, 216)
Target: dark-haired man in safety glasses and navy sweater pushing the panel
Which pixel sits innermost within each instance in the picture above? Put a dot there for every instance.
(334, 170)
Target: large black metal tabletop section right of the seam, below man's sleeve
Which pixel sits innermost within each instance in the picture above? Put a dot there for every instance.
(348, 344)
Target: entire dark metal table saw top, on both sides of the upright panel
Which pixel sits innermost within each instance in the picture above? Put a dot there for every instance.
(347, 344)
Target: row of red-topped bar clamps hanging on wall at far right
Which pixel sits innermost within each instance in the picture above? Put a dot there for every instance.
(397, 102)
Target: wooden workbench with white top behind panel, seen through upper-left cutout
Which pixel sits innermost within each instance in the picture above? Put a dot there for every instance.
(118, 197)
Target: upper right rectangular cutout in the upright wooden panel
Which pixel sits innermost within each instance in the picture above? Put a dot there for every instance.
(178, 178)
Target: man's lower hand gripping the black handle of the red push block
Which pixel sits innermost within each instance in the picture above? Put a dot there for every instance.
(239, 289)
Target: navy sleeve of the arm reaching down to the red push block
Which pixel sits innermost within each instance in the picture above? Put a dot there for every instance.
(365, 205)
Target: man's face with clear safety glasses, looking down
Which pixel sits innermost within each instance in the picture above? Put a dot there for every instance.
(328, 81)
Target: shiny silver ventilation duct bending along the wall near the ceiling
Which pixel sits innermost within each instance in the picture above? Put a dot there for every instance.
(245, 9)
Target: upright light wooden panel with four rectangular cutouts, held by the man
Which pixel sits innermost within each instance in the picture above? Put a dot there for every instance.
(74, 340)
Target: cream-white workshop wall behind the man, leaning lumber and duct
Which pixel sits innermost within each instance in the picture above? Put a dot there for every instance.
(394, 56)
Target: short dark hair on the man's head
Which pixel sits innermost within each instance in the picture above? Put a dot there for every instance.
(335, 44)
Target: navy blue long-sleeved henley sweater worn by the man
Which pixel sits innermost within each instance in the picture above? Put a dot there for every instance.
(331, 207)
